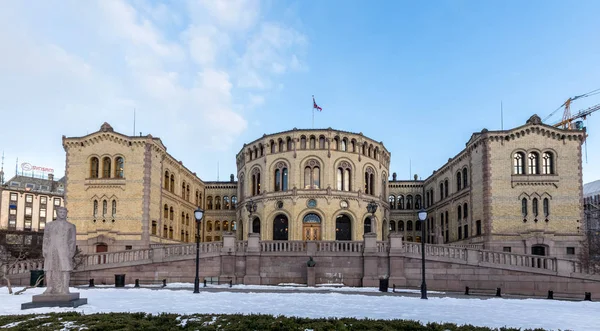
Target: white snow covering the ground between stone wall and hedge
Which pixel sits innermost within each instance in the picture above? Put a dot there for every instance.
(492, 312)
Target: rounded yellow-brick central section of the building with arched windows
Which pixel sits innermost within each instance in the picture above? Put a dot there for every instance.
(312, 185)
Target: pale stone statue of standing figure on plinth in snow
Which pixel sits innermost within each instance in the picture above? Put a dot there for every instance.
(58, 249)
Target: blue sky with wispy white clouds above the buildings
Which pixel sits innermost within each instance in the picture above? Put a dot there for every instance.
(207, 76)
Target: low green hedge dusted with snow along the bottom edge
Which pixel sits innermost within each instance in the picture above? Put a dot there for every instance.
(143, 321)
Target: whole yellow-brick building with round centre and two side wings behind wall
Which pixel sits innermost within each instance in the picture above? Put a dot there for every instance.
(518, 190)
